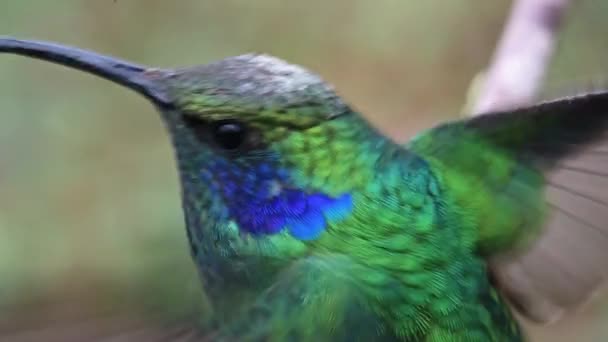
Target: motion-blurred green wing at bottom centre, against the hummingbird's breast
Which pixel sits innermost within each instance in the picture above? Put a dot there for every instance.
(314, 299)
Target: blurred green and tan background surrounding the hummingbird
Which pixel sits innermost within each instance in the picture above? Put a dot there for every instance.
(90, 216)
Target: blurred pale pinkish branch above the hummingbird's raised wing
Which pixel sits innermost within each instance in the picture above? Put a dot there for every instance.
(524, 52)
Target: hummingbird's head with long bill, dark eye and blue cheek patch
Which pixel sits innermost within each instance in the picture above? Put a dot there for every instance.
(268, 154)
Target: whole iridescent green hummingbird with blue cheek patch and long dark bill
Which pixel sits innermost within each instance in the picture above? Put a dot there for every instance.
(307, 223)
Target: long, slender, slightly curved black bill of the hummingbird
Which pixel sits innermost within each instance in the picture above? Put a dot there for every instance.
(142, 79)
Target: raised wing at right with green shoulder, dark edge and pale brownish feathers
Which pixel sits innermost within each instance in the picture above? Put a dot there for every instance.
(537, 175)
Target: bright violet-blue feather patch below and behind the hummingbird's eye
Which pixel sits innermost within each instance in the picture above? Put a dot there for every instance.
(261, 205)
